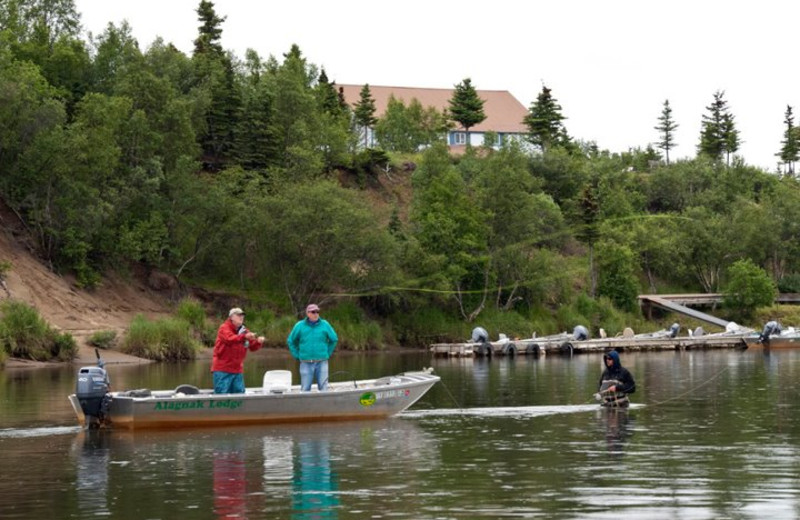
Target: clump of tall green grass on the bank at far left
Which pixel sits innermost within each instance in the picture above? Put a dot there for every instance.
(25, 334)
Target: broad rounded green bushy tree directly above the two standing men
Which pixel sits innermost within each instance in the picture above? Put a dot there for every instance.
(318, 239)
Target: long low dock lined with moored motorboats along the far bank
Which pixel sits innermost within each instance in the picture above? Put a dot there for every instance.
(534, 347)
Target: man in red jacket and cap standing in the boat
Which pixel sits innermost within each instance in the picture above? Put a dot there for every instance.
(230, 349)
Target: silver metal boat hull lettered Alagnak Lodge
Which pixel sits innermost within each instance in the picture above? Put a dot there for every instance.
(371, 399)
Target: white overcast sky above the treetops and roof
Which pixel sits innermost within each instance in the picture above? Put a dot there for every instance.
(610, 64)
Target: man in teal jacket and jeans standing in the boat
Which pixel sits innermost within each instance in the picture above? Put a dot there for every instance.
(311, 342)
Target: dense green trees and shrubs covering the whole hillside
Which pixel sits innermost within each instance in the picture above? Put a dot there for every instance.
(239, 174)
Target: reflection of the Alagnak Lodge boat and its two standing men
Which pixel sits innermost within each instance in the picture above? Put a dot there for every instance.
(293, 471)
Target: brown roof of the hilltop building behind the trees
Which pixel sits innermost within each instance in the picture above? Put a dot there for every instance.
(503, 112)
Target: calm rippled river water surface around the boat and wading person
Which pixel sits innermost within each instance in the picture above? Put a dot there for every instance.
(711, 435)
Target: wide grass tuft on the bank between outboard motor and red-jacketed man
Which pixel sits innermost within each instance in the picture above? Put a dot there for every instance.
(168, 339)
